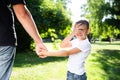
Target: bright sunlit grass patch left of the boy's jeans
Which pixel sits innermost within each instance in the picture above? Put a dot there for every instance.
(44, 71)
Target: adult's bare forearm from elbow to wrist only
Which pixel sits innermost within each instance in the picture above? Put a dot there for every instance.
(30, 26)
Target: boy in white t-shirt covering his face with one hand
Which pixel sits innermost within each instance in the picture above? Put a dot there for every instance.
(77, 54)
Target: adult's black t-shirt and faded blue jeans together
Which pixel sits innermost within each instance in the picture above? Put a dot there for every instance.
(7, 37)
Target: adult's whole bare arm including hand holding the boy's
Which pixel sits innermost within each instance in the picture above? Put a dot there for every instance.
(25, 18)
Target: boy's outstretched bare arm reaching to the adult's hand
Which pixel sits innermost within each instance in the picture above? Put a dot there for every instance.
(60, 53)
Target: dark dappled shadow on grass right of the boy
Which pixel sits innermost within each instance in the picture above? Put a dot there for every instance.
(110, 63)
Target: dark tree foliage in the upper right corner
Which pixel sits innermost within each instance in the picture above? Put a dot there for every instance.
(113, 11)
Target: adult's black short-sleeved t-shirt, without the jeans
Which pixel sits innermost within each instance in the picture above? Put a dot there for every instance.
(7, 31)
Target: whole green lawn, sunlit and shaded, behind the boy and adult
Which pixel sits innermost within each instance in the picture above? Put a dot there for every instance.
(102, 64)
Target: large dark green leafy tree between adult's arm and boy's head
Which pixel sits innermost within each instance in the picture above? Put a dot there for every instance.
(51, 15)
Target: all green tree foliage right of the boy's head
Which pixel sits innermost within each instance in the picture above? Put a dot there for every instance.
(104, 16)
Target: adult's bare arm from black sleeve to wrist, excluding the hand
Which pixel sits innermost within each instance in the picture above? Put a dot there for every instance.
(28, 23)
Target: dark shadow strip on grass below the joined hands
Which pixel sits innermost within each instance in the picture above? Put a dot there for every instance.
(30, 59)
